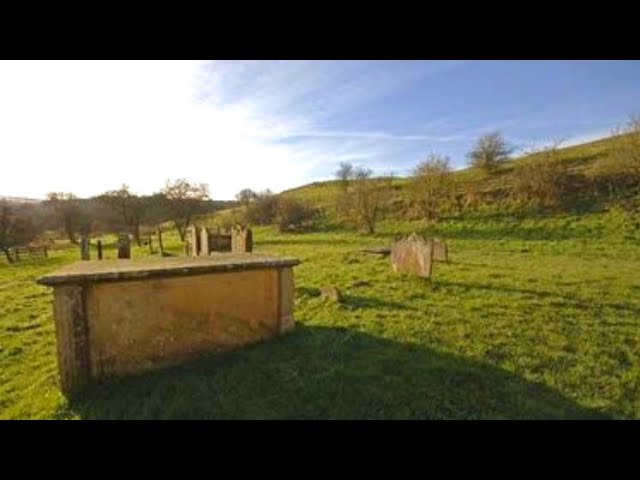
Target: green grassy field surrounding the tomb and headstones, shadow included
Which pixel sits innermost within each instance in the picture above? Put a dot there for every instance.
(533, 317)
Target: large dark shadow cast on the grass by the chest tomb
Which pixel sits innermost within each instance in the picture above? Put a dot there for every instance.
(328, 373)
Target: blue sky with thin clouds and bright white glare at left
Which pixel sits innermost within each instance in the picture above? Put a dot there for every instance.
(90, 126)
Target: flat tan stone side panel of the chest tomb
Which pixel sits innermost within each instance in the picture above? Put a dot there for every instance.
(143, 324)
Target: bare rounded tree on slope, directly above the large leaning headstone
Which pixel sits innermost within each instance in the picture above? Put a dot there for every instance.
(431, 185)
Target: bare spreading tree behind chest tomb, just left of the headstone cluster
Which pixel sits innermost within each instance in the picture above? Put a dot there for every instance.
(183, 200)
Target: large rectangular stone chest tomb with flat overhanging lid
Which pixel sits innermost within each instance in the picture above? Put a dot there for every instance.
(116, 317)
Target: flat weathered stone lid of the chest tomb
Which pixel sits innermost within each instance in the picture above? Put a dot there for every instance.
(139, 269)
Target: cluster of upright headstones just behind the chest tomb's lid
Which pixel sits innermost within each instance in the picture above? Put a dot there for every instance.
(202, 241)
